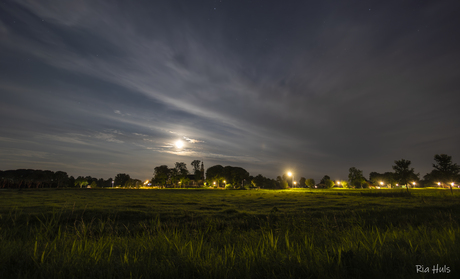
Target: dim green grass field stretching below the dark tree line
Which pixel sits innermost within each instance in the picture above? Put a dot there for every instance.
(118, 233)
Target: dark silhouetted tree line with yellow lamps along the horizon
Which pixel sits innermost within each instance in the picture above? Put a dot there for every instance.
(444, 173)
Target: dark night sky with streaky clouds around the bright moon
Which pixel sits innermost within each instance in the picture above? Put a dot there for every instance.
(316, 87)
